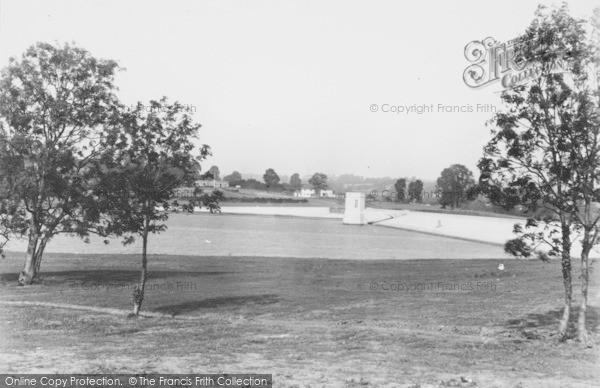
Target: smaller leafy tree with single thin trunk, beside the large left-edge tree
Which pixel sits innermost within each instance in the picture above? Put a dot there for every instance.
(148, 157)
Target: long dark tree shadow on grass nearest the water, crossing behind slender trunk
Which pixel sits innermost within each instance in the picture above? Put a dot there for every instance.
(106, 276)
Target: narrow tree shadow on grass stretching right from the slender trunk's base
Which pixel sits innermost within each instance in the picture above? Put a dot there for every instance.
(225, 301)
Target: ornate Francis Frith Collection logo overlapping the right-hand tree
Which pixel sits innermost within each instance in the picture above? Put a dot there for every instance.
(493, 61)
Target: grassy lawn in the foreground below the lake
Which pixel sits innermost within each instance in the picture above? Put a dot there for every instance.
(309, 322)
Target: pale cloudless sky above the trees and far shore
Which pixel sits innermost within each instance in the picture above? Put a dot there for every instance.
(298, 86)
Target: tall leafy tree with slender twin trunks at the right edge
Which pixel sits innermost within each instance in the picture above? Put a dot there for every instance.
(545, 151)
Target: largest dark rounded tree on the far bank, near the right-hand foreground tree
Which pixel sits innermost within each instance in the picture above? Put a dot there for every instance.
(454, 186)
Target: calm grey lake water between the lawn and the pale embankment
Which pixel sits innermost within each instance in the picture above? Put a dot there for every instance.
(241, 235)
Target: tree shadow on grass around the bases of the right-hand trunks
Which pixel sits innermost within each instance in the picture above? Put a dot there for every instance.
(549, 320)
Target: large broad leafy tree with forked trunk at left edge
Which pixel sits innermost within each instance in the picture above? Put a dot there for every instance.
(56, 103)
